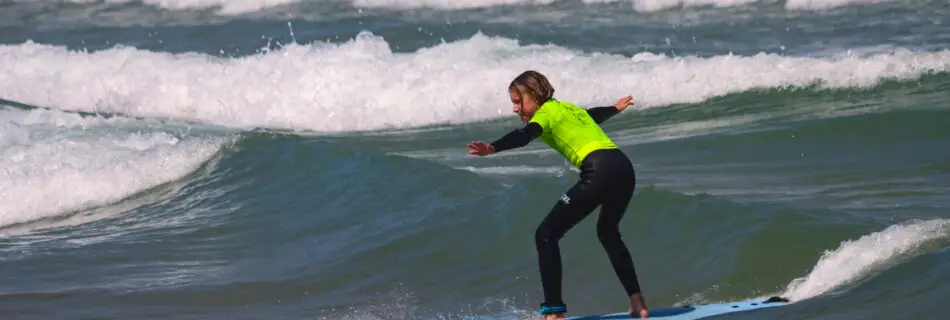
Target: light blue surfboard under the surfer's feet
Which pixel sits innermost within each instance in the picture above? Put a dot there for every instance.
(695, 312)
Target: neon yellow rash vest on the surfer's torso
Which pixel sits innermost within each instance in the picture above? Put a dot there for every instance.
(570, 130)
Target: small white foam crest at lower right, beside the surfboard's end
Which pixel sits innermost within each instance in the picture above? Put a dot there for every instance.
(857, 259)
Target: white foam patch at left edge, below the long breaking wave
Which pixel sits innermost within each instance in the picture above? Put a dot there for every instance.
(53, 165)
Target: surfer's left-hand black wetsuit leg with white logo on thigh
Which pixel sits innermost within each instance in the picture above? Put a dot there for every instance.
(578, 202)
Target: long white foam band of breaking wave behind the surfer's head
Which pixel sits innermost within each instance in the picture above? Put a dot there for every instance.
(362, 85)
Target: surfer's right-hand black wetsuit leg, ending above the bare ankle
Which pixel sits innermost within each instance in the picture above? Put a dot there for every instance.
(611, 212)
